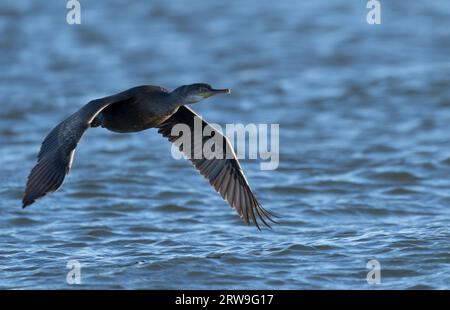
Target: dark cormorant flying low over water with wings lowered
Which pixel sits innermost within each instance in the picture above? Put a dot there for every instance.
(138, 109)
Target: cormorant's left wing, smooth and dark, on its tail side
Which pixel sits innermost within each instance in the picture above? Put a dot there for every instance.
(56, 154)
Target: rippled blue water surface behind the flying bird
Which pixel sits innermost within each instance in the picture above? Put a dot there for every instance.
(364, 114)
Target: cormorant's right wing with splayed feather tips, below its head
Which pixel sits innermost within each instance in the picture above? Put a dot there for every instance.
(224, 174)
